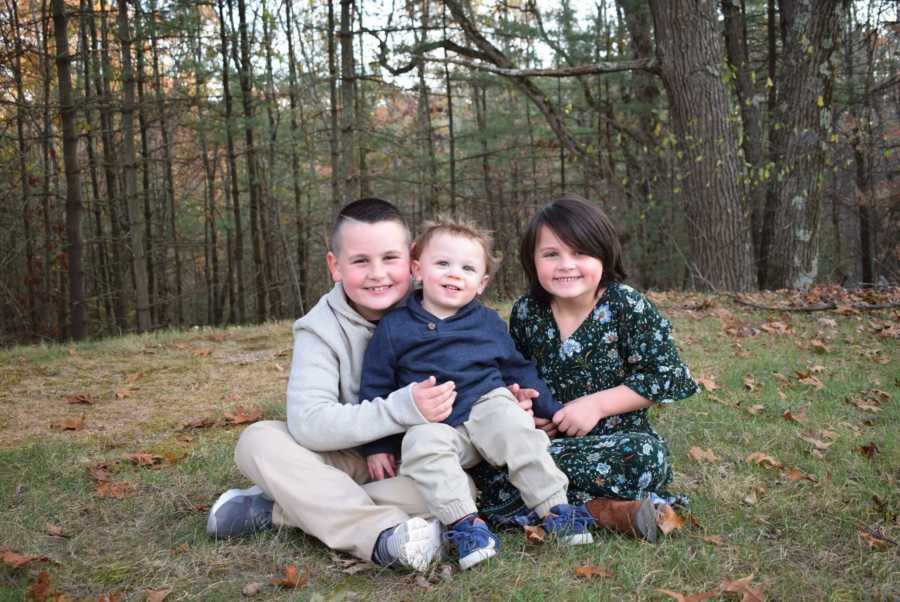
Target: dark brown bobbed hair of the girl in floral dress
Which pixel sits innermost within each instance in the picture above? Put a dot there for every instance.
(581, 225)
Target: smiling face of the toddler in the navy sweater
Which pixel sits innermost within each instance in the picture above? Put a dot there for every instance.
(452, 269)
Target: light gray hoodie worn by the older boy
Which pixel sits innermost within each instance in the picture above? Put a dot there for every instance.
(324, 412)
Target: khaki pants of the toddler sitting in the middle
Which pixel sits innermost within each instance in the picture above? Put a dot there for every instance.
(435, 454)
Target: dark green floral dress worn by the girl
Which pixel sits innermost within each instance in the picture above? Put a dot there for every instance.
(626, 341)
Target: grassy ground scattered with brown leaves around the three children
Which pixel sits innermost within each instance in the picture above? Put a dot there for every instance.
(799, 539)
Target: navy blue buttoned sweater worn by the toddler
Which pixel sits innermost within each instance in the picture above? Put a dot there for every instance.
(472, 348)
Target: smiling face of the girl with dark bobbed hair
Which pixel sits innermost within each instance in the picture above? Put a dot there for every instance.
(564, 272)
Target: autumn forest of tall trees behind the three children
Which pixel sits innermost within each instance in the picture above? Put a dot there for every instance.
(171, 163)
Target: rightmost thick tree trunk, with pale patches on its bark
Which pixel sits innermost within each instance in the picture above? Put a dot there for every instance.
(809, 33)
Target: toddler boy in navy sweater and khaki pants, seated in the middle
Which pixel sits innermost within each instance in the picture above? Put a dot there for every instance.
(443, 331)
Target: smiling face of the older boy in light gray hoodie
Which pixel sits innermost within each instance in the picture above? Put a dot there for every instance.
(372, 264)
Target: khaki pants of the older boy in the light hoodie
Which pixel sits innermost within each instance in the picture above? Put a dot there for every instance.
(326, 494)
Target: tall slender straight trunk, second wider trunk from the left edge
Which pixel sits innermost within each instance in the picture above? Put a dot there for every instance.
(135, 216)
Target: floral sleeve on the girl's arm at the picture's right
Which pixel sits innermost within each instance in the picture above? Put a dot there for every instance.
(653, 367)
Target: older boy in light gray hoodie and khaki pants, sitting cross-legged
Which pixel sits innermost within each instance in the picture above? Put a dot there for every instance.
(306, 471)
